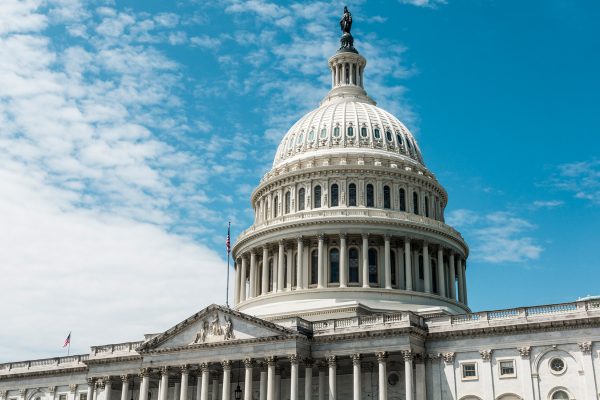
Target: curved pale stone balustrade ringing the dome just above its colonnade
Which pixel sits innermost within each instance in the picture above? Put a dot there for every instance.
(350, 212)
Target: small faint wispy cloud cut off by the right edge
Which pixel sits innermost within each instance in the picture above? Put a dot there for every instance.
(581, 179)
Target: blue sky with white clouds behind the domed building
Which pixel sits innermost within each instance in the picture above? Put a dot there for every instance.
(132, 131)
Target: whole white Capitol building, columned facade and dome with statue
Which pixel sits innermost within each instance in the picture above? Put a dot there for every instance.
(348, 285)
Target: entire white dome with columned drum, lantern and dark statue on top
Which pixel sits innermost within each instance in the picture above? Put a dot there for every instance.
(349, 220)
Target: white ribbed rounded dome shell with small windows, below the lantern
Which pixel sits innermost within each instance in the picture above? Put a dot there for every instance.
(348, 126)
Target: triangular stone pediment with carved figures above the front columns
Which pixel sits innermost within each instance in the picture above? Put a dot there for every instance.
(215, 325)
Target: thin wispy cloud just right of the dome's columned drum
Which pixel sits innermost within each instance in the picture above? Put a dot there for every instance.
(498, 237)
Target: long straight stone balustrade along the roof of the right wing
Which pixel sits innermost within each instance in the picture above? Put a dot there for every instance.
(575, 310)
